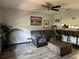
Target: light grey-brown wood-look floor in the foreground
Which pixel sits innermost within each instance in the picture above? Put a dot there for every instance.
(29, 51)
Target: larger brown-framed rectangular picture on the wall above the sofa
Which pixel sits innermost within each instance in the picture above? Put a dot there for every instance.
(35, 21)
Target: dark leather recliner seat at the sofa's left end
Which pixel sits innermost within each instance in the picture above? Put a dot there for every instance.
(38, 38)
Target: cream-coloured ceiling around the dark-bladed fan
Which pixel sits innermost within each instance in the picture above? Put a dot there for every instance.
(30, 5)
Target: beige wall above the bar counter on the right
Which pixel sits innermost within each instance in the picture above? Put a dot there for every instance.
(66, 18)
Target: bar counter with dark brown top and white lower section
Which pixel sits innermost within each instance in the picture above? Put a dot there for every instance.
(70, 36)
